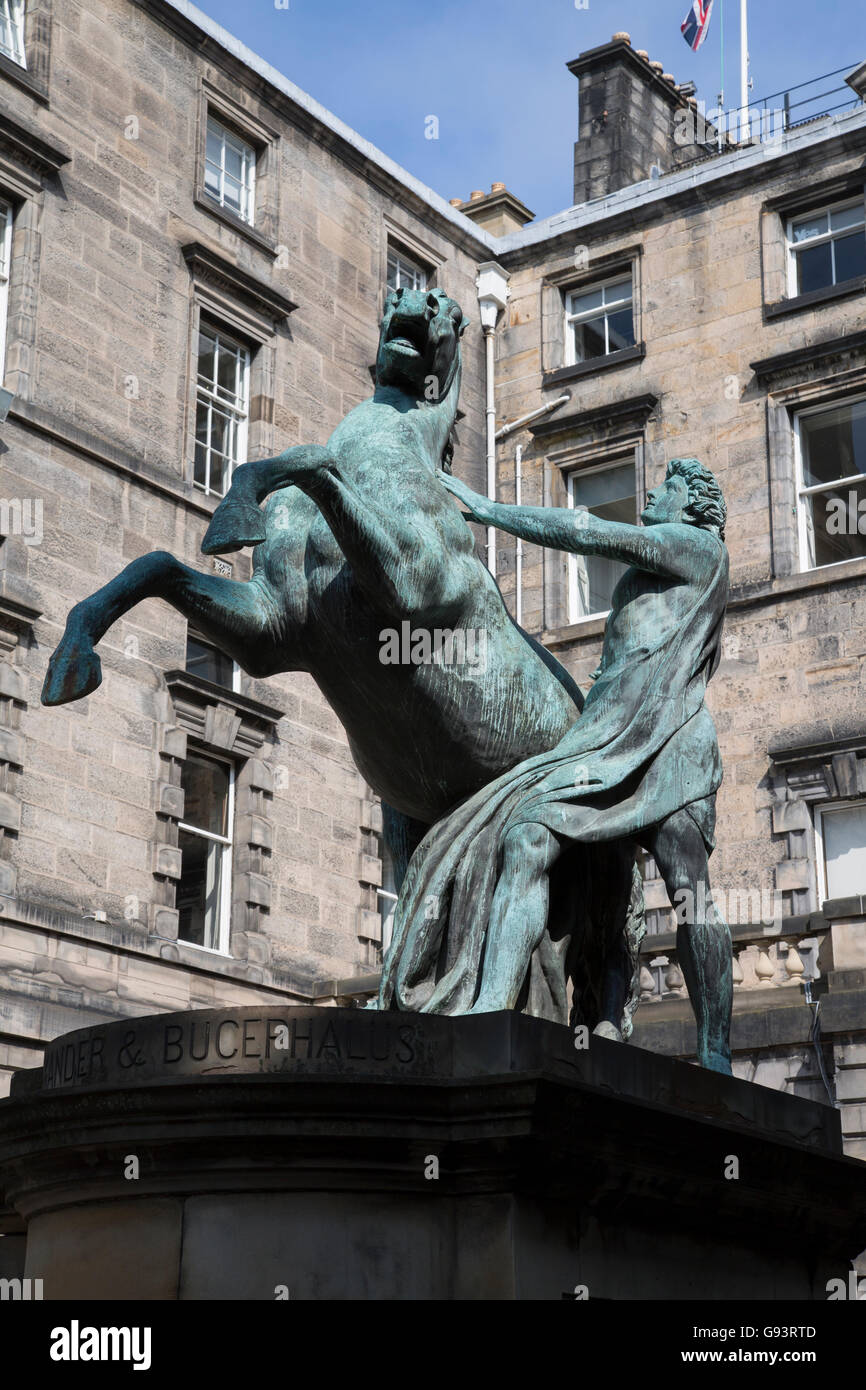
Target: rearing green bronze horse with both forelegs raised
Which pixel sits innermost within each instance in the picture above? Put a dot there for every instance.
(357, 539)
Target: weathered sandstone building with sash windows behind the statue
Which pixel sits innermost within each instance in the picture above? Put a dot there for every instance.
(193, 263)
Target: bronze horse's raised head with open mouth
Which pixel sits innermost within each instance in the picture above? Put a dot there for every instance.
(420, 343)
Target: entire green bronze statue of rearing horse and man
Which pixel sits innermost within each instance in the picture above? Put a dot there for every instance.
(361, 561)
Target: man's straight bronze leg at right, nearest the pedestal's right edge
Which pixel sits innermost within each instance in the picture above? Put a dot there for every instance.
(704, 940)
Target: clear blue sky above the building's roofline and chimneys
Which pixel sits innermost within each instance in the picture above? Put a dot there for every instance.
(494, 74)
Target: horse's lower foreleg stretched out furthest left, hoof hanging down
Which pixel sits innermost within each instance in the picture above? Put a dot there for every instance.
(243, 619)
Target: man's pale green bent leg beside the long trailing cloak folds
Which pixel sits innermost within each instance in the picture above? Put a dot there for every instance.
(519, 915)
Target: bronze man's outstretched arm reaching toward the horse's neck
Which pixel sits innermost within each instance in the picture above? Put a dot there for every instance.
(576, 530)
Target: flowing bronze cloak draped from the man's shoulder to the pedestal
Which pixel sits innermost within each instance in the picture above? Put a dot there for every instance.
(643, 749)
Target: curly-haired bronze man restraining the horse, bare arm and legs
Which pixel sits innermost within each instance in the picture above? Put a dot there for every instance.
(675, 559)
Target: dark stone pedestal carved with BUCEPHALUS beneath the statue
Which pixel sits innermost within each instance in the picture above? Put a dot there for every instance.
(333, 1154)
